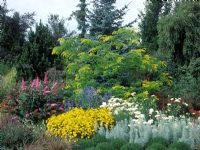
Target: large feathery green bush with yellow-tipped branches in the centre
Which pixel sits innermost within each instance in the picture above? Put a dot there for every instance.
(110, 64)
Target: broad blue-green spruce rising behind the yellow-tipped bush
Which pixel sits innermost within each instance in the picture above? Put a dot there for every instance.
(105, 17)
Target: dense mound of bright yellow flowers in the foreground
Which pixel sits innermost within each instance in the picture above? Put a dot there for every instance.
(79, 123)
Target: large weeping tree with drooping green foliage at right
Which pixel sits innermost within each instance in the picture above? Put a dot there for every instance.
(179, 35)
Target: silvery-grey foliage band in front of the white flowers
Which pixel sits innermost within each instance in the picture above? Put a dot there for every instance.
(170, 128)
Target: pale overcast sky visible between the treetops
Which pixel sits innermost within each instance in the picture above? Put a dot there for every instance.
(64, 8)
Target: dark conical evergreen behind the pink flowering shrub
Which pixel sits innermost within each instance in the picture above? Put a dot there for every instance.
(36, 57)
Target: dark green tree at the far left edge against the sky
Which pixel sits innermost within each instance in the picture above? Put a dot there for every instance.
(13, 32)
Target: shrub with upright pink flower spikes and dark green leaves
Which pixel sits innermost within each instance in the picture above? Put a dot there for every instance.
(36, 100)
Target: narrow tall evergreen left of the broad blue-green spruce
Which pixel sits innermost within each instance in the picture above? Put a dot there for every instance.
(81, 17)
